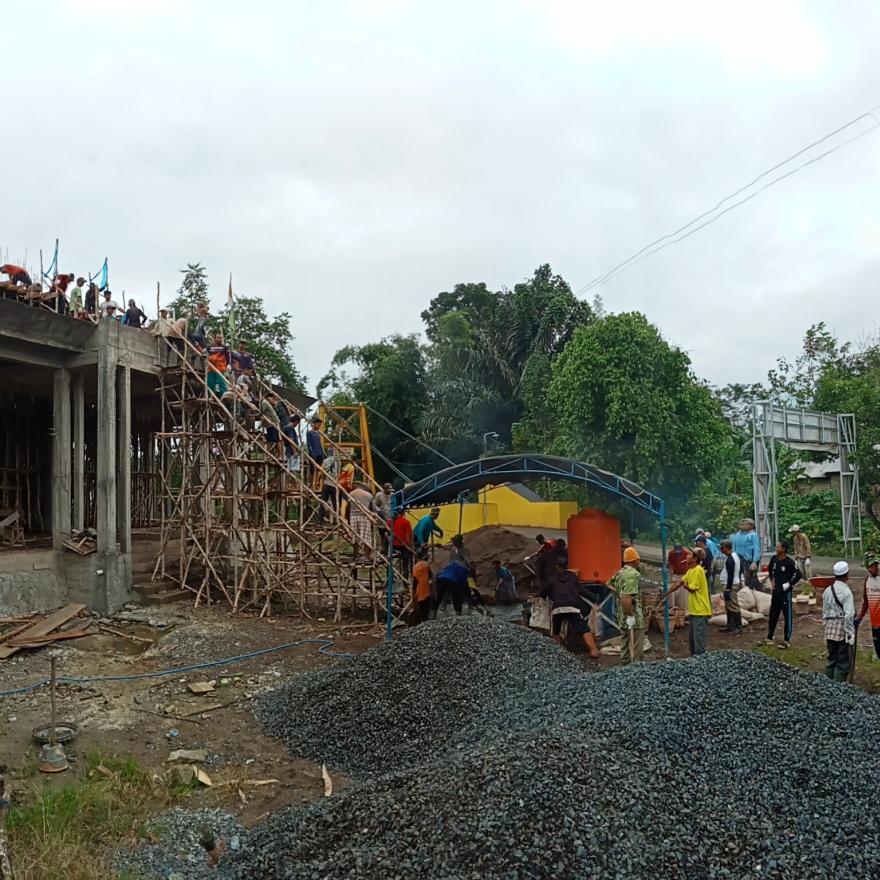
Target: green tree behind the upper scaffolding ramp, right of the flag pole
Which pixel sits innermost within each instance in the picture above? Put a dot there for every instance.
(268, 338)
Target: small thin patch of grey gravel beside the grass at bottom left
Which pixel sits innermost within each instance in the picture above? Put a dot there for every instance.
(179, 853)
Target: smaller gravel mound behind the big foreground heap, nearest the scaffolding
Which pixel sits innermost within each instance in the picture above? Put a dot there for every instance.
(399, 703)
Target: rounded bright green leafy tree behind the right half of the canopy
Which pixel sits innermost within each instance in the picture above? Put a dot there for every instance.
(624, 399)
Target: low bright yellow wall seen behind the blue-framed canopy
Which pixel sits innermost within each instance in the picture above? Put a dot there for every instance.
(508, 505)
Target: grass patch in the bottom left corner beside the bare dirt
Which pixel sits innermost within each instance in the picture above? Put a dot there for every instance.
(64, 833)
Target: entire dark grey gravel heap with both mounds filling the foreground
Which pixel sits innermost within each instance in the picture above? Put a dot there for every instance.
(728, 766)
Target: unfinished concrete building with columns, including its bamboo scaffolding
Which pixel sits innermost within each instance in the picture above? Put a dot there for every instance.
(110, 431)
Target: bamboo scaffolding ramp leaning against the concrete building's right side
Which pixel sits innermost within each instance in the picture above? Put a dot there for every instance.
(253, 533)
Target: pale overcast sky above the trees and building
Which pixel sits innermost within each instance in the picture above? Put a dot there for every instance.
(346, 161)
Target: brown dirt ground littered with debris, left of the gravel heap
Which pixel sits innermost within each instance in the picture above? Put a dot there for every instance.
(148, 718)
